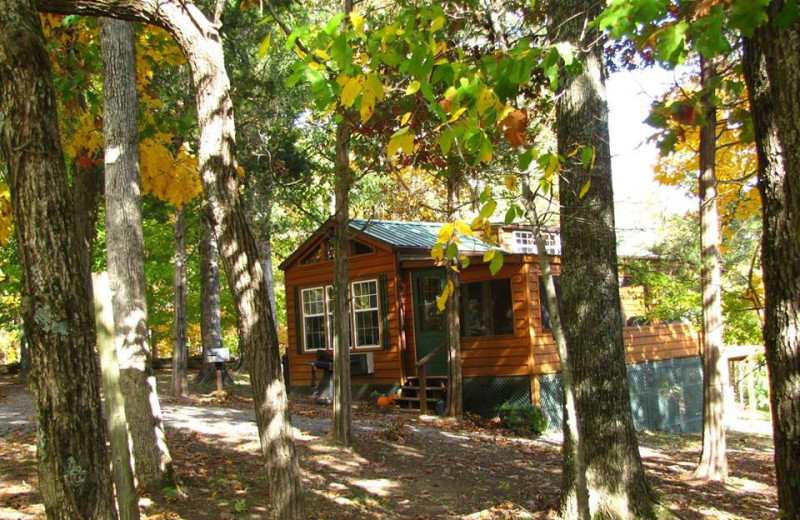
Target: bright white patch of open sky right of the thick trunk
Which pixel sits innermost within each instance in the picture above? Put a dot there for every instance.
(641, 203)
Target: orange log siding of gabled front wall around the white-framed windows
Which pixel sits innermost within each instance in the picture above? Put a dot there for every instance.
(362, 267)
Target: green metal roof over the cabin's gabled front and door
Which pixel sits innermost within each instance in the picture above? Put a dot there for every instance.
(413, 235)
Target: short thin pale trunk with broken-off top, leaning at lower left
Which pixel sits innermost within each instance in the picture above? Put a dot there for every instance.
(124, 486)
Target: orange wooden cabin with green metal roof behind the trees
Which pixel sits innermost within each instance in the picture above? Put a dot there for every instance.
(508, 353)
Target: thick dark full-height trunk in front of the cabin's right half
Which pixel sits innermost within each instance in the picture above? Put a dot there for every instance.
(593, 322)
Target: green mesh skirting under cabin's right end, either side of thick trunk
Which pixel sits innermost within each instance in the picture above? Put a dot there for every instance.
(665, 395)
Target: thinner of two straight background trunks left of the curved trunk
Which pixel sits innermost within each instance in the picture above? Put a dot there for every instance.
(180, 384)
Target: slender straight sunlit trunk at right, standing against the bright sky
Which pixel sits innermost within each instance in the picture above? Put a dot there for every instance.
(713, 463)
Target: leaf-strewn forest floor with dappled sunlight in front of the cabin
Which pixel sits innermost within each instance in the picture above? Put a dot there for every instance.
(401, 466)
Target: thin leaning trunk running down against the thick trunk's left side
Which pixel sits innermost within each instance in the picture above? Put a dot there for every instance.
(577, 455)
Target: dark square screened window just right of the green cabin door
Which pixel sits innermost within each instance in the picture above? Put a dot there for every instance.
(486, 309)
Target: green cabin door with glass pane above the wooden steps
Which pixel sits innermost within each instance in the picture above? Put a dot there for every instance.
(430, 325)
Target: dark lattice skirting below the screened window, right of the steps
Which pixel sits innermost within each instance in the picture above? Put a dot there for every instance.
(482, 395)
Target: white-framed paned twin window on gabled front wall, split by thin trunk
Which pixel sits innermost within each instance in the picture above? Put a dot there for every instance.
(318, 320)
